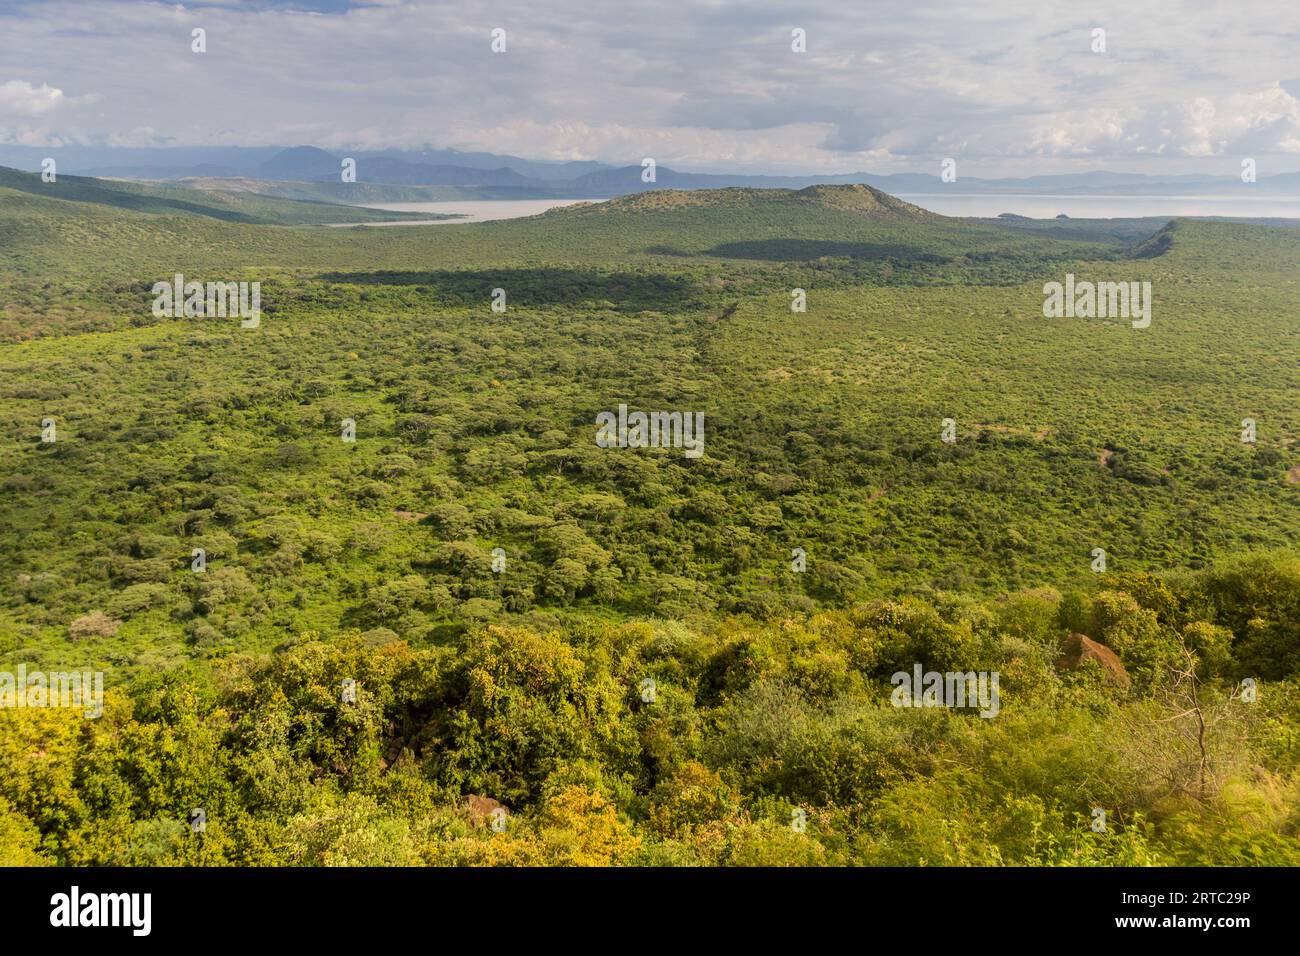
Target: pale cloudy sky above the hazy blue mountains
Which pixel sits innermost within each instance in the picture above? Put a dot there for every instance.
(1006, 88)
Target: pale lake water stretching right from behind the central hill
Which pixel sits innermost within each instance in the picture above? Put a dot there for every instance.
(1104, 206)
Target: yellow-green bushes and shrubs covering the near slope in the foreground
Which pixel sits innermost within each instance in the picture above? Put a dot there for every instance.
(764, 745)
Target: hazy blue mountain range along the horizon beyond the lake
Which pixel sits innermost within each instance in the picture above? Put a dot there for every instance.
(414, 175)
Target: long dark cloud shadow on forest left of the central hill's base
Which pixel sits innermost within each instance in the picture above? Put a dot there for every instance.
(625, 292)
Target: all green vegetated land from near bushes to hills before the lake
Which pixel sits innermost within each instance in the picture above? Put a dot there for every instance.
(496, 589)
